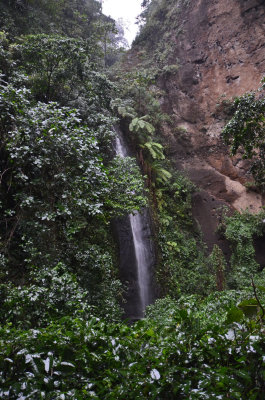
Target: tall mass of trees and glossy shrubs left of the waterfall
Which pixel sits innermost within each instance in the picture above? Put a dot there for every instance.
(59, 188)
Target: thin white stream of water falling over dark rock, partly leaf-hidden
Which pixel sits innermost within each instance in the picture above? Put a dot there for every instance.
(141, 249)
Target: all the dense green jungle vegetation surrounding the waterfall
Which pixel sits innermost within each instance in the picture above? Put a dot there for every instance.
(61, 333)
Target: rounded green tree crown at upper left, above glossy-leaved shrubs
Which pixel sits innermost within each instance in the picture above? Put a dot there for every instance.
(57, 67)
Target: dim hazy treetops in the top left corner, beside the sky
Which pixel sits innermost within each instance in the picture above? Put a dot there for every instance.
(79, 19)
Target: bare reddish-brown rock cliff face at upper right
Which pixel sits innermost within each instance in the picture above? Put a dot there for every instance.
(221, 54)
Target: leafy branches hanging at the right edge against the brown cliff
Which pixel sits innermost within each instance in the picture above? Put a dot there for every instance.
(246, 131)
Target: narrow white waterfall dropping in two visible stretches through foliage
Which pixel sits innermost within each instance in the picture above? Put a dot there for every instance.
(142, 250)
